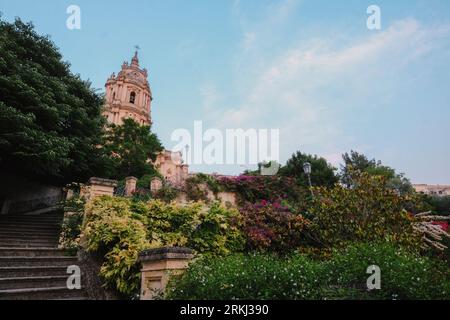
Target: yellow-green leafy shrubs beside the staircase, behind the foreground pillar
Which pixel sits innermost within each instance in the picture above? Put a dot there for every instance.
(119, 228)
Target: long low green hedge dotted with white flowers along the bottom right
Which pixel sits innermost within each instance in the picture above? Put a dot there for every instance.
(404, 275)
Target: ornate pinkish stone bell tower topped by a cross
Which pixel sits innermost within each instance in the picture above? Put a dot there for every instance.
(128, 94)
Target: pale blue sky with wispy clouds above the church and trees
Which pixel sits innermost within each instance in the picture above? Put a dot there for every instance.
(310, 68)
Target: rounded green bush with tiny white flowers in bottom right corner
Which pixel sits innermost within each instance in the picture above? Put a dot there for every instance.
(404, 274)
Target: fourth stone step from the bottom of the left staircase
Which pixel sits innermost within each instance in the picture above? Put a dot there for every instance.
(16, 261)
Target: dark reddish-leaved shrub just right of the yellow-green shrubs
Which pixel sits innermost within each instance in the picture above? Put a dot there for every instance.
(272, 227)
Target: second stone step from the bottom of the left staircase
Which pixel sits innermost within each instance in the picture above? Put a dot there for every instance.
(33, 282)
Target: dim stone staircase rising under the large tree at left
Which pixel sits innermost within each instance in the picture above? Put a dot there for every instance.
(31, 265)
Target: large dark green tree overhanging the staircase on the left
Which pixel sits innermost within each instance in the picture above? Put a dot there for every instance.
(50, 120)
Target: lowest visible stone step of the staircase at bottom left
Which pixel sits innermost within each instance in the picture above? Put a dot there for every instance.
(42, 294)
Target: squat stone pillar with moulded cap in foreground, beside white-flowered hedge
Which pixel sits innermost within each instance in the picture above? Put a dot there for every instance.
(158, 265)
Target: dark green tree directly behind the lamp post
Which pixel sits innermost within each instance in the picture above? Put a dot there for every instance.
(322, 174)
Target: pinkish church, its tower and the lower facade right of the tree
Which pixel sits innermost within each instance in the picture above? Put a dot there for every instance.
(128, 95)
